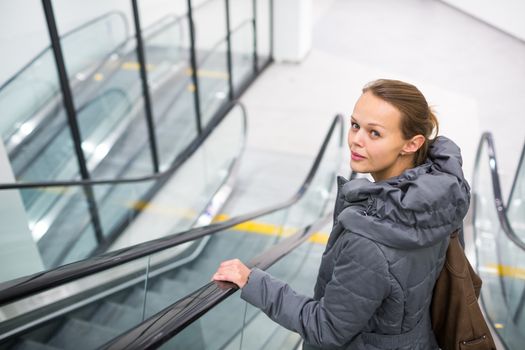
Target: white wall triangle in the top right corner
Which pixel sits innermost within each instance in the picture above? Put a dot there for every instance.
(507, 15)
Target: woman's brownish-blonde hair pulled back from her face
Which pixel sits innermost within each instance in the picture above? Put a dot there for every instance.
(417, 118)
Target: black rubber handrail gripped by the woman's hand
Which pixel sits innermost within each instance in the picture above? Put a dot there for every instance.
(166, 324)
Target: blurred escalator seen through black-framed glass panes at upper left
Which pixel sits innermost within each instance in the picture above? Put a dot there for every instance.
(111, 117)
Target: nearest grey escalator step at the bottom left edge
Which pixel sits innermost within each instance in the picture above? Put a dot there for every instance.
(81, 334)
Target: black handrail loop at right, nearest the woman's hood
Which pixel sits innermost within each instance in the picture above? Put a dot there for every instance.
(496, 187)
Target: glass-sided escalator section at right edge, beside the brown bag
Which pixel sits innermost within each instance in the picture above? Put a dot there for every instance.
(500, 259)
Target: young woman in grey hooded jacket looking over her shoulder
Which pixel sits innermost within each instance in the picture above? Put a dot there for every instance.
(389, 238)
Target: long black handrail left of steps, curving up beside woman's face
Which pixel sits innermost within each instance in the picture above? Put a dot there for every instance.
(25, 286)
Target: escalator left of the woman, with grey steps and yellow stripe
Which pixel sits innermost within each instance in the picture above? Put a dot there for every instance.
(100, 298)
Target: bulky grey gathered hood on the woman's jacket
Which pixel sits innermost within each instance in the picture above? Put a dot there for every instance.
(416, 209)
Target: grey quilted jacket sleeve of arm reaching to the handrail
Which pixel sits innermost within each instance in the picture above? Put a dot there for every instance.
(359, 284)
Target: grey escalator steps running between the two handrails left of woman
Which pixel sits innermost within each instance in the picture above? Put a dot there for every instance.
(100, 322)
